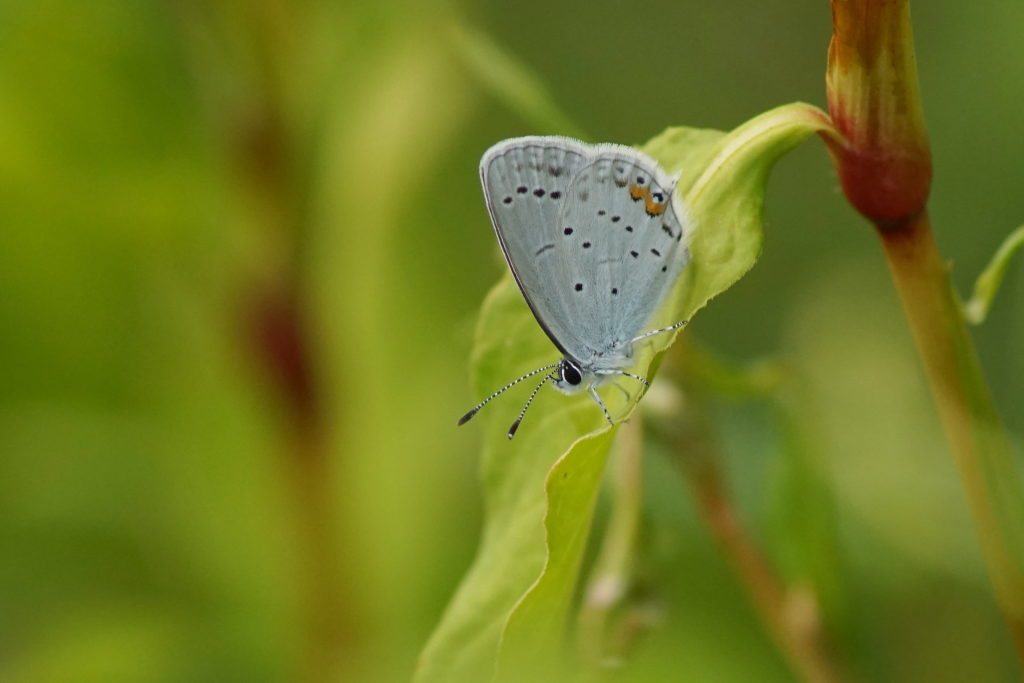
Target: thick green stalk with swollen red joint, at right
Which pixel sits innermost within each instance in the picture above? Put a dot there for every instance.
(885, 166)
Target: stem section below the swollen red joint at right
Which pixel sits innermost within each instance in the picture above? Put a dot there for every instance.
(995, 486)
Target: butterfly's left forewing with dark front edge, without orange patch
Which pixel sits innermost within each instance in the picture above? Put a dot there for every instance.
(526, 184)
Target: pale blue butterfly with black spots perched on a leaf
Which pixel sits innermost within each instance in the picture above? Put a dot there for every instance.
(595, 241)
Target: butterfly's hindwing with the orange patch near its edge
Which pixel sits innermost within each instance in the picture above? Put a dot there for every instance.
(627, 253)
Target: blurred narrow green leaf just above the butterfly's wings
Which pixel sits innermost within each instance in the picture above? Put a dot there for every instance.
(513, 82)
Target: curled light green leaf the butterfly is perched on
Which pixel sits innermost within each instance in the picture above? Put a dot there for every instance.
(508, 616)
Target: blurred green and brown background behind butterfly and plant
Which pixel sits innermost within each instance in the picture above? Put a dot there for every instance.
(242, 247)
